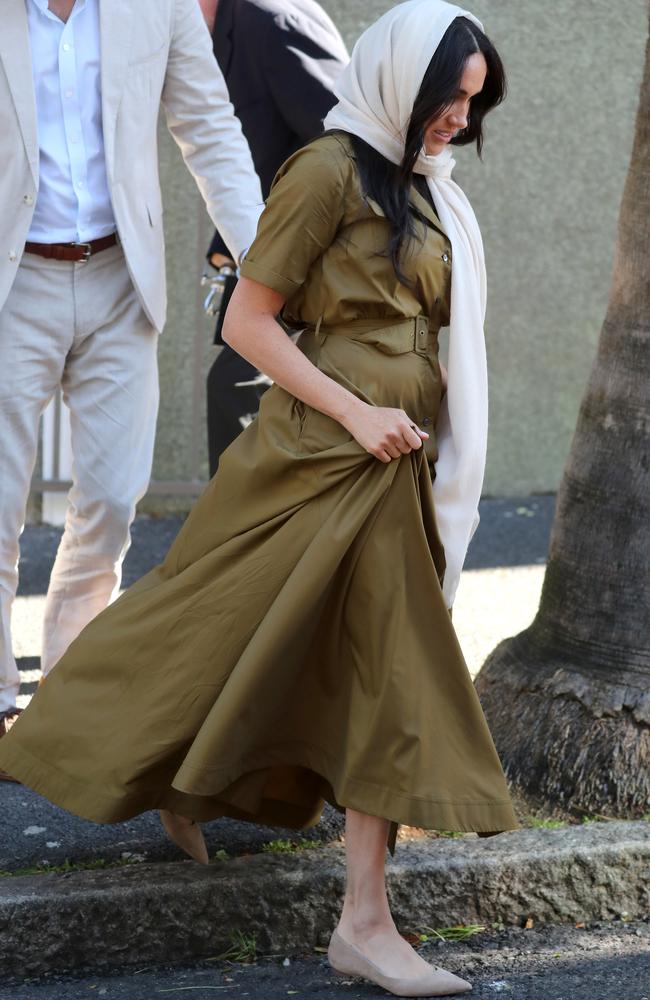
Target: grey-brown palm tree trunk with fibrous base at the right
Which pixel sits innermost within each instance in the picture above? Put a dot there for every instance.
(568, 700)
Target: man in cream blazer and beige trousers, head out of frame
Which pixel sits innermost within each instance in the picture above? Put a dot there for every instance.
(82, 270)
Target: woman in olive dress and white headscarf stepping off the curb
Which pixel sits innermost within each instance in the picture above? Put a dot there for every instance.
(296, 644)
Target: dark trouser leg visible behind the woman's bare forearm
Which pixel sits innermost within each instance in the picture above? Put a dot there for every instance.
(231, 406)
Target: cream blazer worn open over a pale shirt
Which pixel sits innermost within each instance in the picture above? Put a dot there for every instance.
(153, 52)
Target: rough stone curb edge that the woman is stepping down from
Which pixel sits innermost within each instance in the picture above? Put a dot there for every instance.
(178, 912)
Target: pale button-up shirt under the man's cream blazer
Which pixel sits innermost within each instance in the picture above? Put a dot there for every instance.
(73, 203)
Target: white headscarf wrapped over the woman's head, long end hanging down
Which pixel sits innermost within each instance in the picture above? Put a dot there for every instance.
(376, 95)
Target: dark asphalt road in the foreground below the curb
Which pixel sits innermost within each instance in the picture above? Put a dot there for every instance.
(601, 962)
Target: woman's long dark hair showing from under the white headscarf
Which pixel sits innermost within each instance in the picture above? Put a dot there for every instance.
(389, 184)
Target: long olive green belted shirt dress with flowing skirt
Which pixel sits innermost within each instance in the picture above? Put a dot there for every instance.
(294, 646)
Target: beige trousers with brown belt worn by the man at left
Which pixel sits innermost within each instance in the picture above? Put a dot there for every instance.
(80, 327)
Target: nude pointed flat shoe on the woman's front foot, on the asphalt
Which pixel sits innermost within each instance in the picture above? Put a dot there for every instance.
(345, 958)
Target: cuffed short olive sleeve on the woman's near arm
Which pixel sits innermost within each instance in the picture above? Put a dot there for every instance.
(301, 218)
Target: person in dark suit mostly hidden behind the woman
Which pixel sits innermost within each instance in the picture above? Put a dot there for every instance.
(280, 59)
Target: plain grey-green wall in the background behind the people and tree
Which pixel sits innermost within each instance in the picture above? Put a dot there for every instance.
(547, 196)
